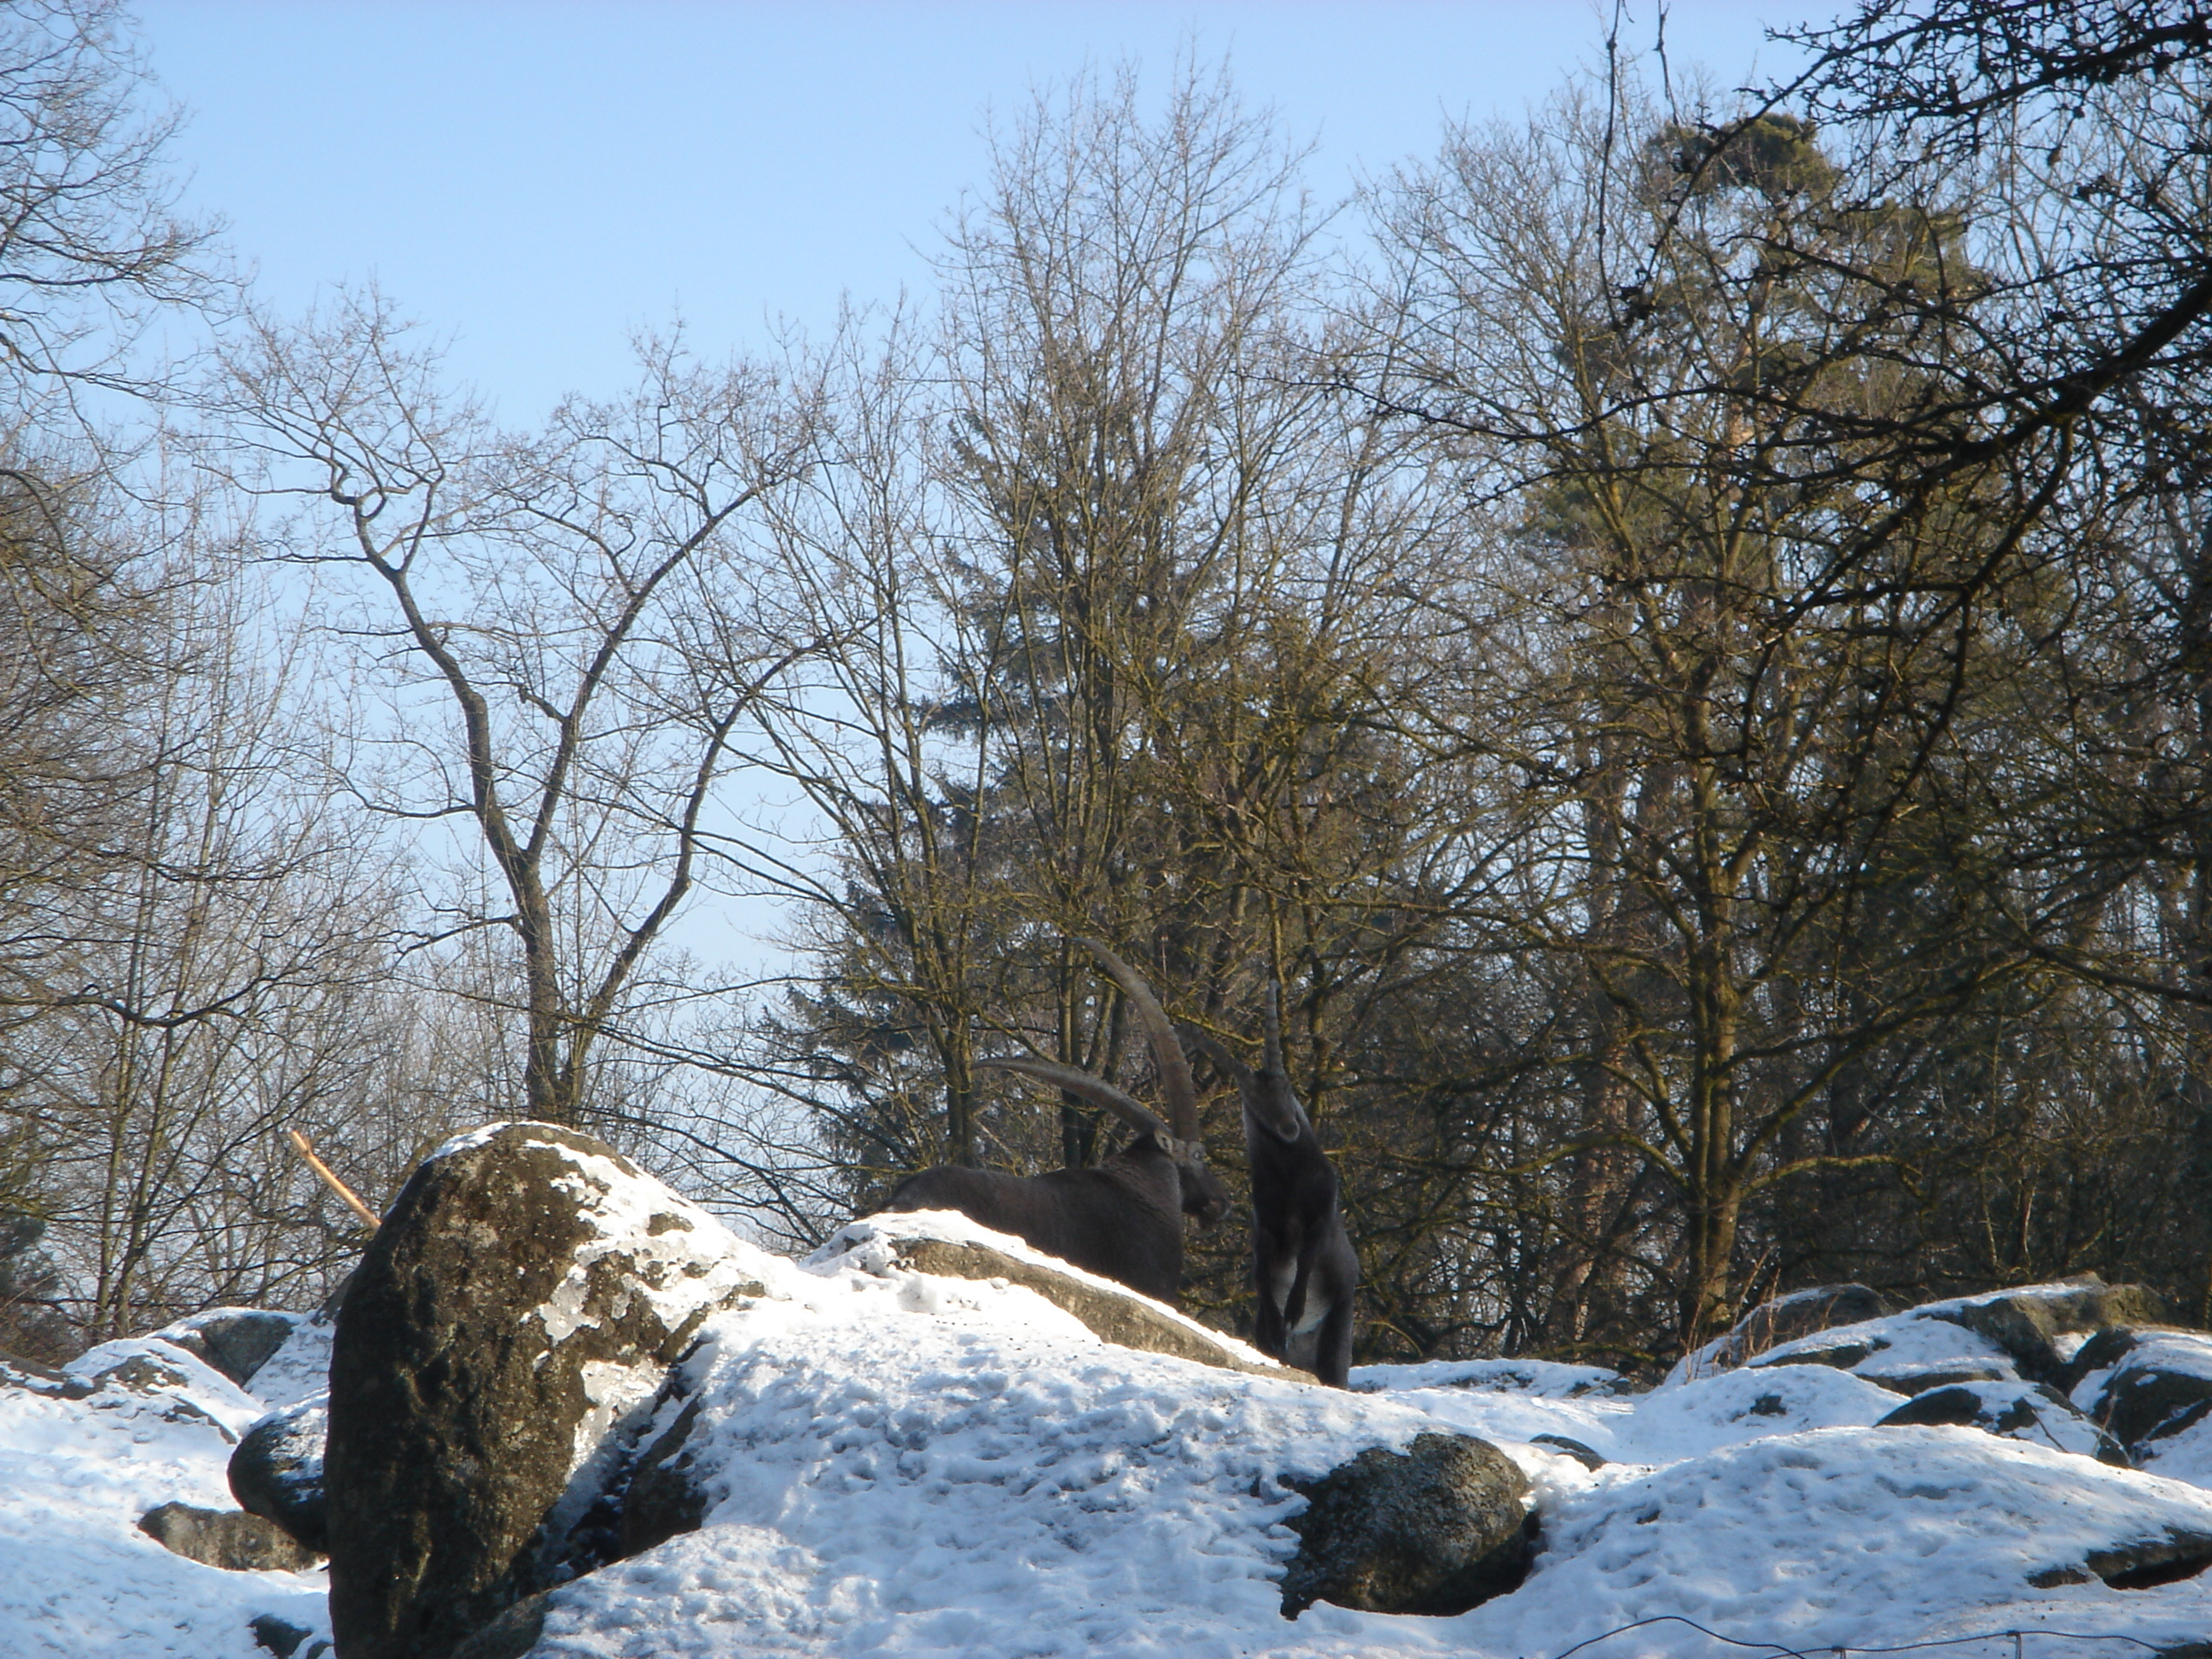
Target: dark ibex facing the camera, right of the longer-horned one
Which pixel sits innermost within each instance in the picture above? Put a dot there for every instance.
(1304, 1269)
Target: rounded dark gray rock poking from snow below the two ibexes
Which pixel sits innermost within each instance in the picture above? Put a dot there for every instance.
(1432, 1530)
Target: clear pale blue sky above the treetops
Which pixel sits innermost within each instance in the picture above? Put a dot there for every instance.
(543, 180)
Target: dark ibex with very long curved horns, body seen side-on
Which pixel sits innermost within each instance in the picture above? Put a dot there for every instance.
(1125, 1218)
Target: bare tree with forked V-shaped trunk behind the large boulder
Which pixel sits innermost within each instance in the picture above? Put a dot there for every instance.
(525, 605)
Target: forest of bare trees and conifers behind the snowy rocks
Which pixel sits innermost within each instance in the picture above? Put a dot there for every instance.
(1673, 632)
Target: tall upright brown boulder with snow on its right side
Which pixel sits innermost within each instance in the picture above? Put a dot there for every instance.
(508, 1328)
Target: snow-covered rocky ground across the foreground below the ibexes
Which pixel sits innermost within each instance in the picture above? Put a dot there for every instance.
(906, 1465)
